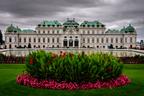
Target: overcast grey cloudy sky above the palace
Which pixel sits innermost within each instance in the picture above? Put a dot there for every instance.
(113, 13)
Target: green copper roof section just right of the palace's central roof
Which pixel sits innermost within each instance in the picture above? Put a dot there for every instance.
(92, 24)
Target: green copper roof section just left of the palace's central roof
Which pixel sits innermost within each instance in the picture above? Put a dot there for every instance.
(50, 23)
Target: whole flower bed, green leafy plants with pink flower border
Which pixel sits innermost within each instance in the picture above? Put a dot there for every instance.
(72, 71)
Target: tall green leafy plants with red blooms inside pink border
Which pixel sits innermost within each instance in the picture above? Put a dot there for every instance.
(73, 67)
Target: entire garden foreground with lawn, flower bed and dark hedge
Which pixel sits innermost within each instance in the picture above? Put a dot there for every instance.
(70, 74)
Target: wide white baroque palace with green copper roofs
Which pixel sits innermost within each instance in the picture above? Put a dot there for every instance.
(70, 34)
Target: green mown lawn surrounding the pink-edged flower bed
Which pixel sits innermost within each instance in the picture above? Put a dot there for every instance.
(8, 86)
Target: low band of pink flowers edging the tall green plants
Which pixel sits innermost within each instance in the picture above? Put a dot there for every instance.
(28, 80)
